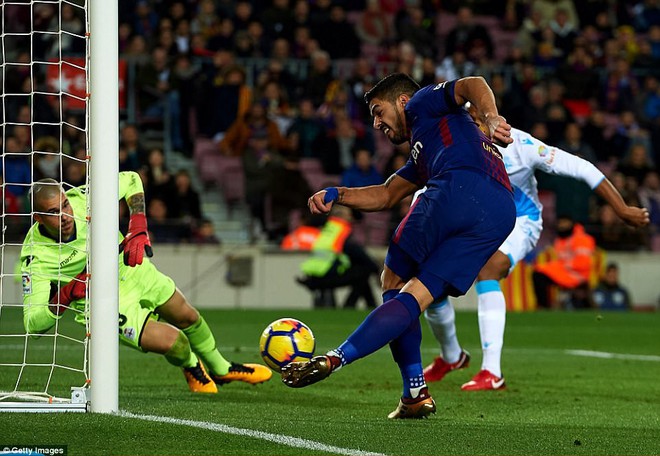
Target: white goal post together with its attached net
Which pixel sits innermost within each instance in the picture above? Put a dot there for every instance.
(97, 372)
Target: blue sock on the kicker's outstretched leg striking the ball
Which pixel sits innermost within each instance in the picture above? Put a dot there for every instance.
(381, 326)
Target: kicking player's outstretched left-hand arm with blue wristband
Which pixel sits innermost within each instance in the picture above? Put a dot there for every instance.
(369, 199)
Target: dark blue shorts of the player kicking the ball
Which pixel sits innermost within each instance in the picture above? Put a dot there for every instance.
(451, 231)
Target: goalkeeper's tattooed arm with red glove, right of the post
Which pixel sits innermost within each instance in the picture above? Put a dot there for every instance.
(136, 243)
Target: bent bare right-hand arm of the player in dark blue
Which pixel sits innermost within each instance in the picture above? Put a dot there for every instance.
(475, 89)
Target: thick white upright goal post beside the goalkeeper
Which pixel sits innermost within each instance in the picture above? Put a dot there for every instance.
(103, 58)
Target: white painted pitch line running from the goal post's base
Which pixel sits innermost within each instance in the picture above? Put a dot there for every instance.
(275, 438)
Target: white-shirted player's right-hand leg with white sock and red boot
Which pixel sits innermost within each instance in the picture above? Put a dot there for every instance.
(491, 311)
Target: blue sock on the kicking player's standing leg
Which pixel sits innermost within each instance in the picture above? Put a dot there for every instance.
(405, 351)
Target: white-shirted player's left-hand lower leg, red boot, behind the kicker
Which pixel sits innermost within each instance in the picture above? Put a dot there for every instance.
(441, 318)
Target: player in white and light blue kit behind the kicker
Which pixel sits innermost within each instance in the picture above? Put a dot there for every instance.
(522, 158)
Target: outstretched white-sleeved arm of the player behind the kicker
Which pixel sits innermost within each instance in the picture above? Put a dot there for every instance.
(566, 164)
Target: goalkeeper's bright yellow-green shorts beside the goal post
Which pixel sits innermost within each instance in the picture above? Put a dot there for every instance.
(141, 290)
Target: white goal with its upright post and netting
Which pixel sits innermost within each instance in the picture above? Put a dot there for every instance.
(71, 367)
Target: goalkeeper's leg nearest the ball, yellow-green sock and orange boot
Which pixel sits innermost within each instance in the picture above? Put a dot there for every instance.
(178, 311)
